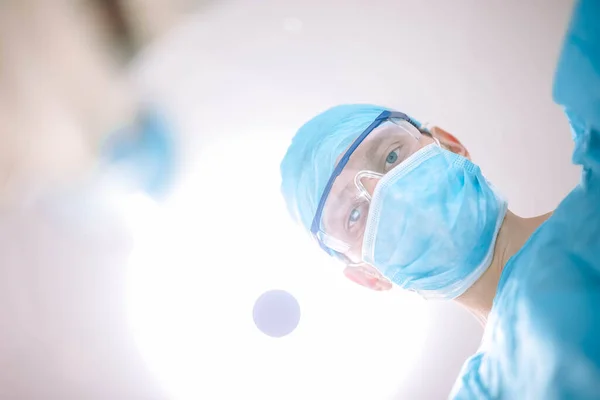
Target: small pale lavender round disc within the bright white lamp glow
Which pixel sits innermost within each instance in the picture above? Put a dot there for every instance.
(276, 313)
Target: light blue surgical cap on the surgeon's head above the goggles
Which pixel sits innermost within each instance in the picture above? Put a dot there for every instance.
(312, 156)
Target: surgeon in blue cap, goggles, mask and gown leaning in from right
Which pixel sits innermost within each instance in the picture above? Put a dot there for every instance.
(401, 204)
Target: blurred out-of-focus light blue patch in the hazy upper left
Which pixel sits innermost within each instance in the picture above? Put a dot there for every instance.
(144, 153)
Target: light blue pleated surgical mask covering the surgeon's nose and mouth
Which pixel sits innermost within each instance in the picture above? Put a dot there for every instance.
(433, 223)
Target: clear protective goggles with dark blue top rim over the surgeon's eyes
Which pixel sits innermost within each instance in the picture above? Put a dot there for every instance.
(339, 222)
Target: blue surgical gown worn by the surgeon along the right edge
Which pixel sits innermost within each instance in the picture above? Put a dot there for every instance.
(542, 340)
